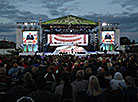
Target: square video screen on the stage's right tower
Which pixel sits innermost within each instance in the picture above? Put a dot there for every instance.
(108, 37)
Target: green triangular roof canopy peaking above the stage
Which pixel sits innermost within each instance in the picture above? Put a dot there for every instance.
(70, 19)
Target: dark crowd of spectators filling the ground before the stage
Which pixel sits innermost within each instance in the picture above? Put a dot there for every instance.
(69, 78)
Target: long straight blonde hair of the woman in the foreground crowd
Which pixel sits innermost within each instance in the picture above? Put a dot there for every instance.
(94, 86)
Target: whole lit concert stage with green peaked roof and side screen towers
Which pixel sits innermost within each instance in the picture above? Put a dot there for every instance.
(65, 35)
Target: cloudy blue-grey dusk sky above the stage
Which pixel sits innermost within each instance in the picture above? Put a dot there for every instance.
(124, 12)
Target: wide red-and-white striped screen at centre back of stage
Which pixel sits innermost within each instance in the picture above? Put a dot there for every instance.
(67, 39)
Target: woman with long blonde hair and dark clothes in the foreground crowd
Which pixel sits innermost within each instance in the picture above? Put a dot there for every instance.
(94, 92)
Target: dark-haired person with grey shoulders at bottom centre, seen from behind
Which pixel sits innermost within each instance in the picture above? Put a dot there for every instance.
(66, 91)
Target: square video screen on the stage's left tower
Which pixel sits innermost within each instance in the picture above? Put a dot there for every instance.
(30, 37)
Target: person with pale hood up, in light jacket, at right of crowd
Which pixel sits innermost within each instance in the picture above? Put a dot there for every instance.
(117, 82)
